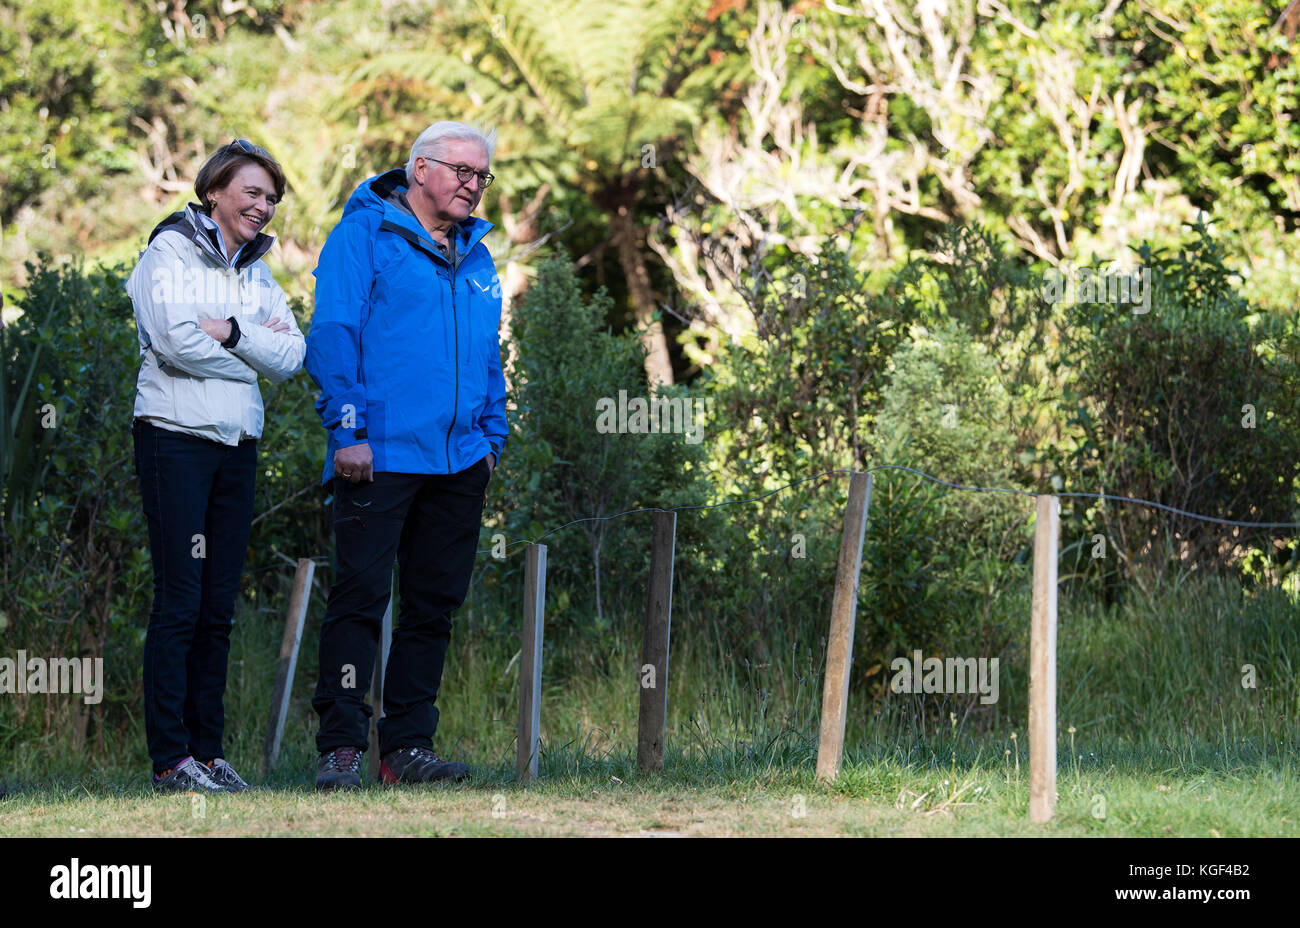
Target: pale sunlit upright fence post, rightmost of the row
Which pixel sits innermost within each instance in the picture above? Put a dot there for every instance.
(1043, 752)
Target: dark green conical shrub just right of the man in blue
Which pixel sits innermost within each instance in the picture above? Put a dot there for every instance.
(561, 467)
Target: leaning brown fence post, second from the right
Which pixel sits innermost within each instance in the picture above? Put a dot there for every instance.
(844, 609)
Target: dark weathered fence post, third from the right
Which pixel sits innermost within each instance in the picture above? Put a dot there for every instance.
(653, 674)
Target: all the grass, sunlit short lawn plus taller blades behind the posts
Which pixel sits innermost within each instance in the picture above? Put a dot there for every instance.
(1167, 741)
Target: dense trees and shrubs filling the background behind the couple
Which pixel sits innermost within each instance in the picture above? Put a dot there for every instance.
(839, 223)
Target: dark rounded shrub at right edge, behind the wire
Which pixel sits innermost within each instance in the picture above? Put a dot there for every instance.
(1163, 405)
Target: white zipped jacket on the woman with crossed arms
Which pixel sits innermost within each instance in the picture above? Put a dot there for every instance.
(188, 381)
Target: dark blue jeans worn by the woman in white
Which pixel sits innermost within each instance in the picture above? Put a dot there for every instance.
(198, 501)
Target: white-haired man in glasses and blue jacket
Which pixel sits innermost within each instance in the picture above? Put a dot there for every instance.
(405, 349)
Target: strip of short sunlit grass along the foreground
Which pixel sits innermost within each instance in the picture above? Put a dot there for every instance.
(722, 795)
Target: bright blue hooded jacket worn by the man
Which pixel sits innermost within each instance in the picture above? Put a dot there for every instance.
(404, 345)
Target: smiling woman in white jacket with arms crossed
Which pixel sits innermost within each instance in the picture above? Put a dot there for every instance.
(211, 318)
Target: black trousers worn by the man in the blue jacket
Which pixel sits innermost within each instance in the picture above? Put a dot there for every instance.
(431, 524)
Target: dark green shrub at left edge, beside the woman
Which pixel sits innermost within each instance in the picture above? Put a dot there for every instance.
(75, 557)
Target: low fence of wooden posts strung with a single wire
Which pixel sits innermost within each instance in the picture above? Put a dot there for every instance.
(652, 725)
